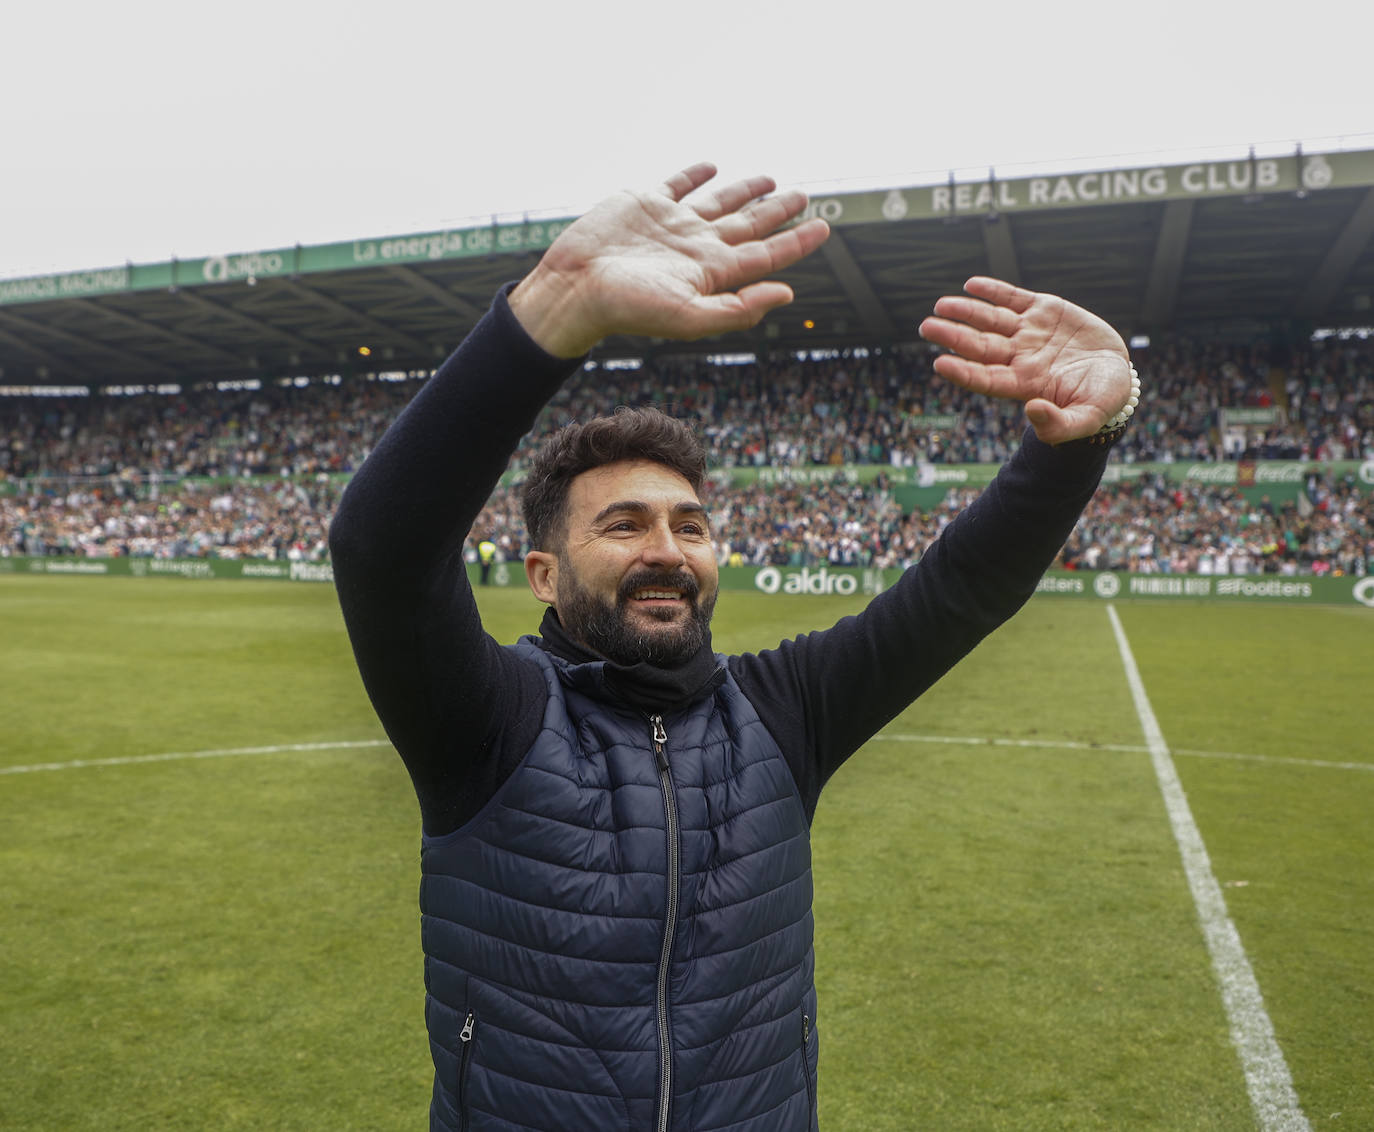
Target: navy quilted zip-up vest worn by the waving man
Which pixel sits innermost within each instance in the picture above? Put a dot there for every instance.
(623, 938)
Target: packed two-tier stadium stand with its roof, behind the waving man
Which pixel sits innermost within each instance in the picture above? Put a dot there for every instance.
(215, 409)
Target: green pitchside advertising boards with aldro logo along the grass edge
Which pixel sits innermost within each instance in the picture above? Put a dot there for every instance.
(793, 580)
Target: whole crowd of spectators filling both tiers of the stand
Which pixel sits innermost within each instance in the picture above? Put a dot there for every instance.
(98, 476)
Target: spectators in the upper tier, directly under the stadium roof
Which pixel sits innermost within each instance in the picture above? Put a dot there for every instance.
(861, 409)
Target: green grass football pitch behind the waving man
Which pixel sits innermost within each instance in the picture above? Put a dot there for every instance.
(1005, 935)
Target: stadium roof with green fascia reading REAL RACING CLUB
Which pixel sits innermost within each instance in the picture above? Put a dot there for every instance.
(1277, 245)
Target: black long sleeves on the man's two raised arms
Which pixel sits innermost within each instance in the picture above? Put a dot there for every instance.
(462, 711)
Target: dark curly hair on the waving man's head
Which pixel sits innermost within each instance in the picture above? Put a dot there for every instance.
(627, 435)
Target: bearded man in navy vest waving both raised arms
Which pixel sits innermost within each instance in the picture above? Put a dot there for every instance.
(616, 873)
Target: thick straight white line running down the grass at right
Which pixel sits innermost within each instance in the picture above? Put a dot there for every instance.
(1266, 1074)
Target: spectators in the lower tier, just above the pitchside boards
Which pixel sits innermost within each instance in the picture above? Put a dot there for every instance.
(1151, 525)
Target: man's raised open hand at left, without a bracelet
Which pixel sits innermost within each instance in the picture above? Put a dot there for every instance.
(656, 264)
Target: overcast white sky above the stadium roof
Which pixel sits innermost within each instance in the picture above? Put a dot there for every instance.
(149, 130)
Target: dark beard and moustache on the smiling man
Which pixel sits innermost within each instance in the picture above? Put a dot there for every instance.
(605, 629)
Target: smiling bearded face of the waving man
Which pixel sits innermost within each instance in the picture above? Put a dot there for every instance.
(637, 576)
